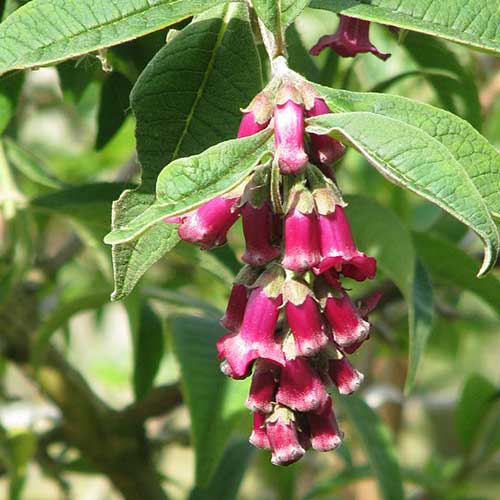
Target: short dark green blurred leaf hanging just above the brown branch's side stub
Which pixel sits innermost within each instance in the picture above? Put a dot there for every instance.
(148, 345)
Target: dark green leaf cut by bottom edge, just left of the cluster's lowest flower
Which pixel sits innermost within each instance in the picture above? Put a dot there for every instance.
(227, 479)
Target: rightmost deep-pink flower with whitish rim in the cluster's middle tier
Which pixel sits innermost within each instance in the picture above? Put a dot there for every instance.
(348, 326)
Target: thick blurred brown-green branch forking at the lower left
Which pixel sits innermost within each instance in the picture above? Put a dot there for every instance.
(114, 442)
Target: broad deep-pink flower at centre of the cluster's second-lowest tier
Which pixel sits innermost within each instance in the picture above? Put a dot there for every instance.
(301, 387)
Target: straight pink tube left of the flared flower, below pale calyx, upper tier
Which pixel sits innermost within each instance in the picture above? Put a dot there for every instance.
(302, 244)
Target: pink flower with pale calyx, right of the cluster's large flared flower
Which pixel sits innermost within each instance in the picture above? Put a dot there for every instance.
(304, 319)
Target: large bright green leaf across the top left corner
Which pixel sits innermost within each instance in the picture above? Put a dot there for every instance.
(70, 28)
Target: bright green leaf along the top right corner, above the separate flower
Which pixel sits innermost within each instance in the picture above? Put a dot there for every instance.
(475, 24)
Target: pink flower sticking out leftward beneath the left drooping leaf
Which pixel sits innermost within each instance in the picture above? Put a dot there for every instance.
(208, 225)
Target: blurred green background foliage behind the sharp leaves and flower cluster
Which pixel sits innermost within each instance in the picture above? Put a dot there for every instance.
(67, 150)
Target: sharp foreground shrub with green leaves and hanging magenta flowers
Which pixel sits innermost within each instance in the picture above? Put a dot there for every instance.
(291, 322)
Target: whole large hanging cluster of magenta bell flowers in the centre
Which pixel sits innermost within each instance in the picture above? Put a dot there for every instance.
(291, 324)
